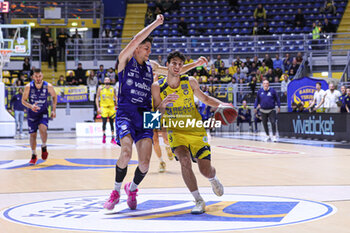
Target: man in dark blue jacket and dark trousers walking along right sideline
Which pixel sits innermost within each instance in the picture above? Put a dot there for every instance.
(266, 101)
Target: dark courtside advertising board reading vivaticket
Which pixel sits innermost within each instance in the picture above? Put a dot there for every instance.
(330, 126)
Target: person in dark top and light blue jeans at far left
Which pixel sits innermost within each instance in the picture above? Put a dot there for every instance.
(16, 104)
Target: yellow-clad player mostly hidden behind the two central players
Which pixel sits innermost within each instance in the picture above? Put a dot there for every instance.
(156, 146)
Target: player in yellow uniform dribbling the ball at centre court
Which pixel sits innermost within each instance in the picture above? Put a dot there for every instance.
(173, 97)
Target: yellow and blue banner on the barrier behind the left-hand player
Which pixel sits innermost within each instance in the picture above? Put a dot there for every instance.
(71, 94)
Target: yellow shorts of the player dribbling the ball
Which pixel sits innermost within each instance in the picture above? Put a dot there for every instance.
(197, 143)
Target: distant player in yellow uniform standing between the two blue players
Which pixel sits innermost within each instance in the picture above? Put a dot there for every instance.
(106, 95)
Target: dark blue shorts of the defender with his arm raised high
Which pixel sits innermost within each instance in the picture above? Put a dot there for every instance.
(131, 122)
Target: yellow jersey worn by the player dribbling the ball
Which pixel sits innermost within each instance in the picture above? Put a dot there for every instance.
(181, 115)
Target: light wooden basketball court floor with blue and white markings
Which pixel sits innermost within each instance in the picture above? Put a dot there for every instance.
(79, 167)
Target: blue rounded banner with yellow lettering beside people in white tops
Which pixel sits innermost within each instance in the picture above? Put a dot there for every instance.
(302, 90)
